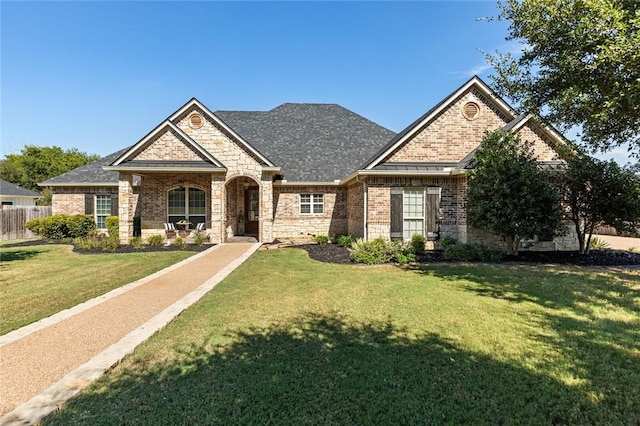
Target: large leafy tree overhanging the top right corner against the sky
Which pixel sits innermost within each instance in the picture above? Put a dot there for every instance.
(580, 66)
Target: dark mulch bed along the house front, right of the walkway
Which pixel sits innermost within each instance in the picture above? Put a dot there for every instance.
(332, 253)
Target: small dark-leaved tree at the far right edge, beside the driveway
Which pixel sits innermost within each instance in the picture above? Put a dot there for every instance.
(596, 193)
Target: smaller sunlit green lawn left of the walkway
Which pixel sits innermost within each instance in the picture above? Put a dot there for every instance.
(38, 281)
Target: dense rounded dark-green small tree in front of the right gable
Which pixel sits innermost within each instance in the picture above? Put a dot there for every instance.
(508, 194)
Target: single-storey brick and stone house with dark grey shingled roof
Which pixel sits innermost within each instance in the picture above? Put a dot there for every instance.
(302, 169)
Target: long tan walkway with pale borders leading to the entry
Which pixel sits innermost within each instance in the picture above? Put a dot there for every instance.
(44, 364)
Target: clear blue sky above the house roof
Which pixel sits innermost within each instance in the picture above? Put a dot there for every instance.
(98, 76)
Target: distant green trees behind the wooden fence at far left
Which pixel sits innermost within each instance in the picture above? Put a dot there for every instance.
(36, 164)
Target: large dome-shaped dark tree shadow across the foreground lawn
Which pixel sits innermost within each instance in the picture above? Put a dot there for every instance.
(327, 370)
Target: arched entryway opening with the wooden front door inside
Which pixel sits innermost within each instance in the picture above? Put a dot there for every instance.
(242, 216)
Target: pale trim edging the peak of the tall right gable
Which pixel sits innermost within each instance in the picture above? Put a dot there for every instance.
(417, 125)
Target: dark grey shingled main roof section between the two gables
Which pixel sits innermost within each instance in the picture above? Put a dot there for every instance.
(310, 142)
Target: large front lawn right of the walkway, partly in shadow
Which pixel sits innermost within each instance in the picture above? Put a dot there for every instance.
(288, 340)
